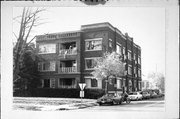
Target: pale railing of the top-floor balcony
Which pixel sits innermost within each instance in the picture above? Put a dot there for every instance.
(68, 51)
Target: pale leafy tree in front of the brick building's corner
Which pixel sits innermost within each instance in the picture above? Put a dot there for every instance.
(109, 65)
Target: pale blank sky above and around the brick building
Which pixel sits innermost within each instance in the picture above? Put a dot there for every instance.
(145, 24)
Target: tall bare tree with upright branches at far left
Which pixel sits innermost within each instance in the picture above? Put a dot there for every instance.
(29, 19)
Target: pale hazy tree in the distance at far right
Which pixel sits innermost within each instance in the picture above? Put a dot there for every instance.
(158, 80)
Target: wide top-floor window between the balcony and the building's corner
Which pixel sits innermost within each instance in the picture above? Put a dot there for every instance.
(93, 44)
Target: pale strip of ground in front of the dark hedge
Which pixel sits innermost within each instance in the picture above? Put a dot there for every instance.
(51, 104)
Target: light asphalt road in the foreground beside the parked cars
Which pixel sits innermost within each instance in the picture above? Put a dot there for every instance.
(144, 105)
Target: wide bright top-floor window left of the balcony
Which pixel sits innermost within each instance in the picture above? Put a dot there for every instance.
(47, 48)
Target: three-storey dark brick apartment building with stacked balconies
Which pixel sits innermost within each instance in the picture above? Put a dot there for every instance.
(68, 58)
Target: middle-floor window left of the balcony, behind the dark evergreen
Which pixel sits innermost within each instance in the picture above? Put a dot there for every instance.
(47, 66)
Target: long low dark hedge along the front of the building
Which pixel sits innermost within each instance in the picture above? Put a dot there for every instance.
(63, 93)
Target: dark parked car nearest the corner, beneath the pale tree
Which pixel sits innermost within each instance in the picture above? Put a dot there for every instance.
(110, 98)
